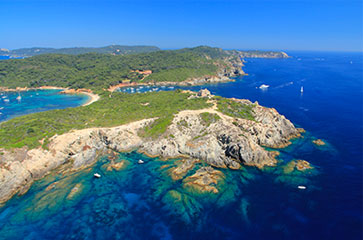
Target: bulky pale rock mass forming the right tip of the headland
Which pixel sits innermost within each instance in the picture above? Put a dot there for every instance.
(228, 142)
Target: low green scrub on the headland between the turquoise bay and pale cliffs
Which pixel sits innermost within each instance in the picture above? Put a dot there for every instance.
(122, 108)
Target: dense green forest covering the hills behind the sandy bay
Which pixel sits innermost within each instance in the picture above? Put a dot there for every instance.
(99, 71)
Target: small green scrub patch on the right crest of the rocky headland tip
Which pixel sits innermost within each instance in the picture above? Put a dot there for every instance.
(235, 109)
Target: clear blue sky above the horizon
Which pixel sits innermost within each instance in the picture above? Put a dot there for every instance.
(326, 25)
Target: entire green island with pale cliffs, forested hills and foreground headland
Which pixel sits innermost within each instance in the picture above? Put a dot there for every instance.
(224, 133)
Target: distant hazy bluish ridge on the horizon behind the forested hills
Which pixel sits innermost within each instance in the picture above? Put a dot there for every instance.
(113, 49)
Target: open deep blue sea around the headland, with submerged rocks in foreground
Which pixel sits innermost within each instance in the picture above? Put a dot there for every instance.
(141, 201)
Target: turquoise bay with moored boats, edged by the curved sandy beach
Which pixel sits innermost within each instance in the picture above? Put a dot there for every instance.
(36, 101)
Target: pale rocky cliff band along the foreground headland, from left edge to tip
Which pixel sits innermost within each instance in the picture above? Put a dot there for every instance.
(212, 135)
